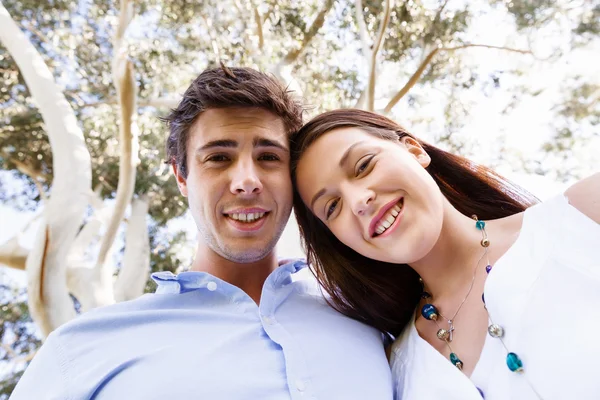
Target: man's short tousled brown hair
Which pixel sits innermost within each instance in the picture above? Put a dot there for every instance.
(225, 87)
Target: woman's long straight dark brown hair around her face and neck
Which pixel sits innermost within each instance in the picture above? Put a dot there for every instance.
(381, 294)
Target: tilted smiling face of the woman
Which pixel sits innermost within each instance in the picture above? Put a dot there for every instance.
(373, 194)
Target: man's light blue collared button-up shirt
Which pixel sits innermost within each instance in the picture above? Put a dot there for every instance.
(199, 337)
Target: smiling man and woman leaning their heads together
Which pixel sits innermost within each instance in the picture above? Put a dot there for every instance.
(484, 293)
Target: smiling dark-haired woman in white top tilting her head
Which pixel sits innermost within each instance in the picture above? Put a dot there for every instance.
(488, 293)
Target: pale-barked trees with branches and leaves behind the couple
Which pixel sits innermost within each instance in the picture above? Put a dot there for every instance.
(85, 82)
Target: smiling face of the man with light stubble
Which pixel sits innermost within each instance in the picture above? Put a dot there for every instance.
(238, 184)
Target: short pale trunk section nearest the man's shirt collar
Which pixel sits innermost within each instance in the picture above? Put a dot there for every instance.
(136, 261)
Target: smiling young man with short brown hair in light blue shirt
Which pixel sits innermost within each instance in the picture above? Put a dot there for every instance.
(237, 325)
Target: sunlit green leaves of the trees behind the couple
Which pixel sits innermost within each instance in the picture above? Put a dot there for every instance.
(171, 41)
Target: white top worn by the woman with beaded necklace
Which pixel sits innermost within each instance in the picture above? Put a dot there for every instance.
(545, 293)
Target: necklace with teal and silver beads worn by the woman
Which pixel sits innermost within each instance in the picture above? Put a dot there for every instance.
(431, 313)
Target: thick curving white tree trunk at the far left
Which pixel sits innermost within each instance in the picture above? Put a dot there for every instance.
(49, 301)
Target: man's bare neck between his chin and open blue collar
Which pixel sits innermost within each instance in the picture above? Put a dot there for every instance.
(249, 277)
